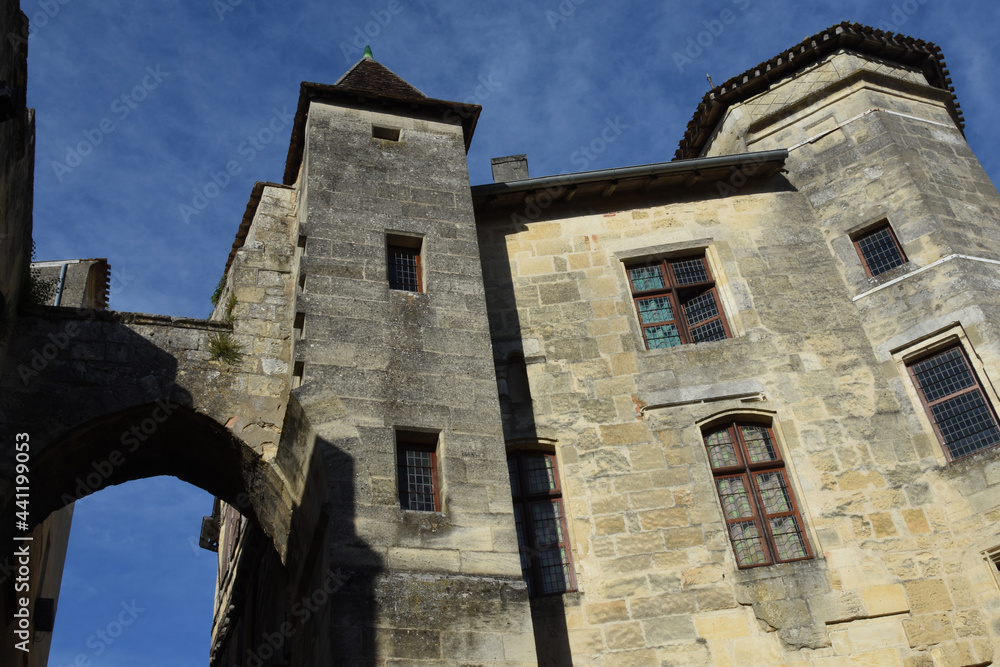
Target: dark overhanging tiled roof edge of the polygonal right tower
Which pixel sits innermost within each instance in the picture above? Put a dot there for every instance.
(889, 46)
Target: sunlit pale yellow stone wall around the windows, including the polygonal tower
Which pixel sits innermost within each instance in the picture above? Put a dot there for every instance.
(897, 532)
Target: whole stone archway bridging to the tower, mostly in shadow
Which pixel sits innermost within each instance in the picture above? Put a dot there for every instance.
(109, 397)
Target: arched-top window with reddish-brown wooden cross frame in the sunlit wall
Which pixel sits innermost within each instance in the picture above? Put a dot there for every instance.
(762, 517)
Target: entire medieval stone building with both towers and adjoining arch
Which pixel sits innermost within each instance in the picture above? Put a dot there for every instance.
(736, 409)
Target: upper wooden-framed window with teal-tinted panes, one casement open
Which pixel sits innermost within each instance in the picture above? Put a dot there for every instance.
(677, 302)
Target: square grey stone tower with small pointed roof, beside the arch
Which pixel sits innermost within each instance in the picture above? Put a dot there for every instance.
(394, 383)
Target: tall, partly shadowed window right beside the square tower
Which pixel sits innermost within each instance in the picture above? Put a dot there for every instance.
(541, 523)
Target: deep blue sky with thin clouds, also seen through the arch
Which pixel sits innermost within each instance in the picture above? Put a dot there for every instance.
(163, 94)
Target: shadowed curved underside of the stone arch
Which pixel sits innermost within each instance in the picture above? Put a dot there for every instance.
(157, 438)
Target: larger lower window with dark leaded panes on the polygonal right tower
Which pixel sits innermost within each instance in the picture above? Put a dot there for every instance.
(963, 419)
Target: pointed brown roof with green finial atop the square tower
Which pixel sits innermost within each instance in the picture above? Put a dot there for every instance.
(369, 84)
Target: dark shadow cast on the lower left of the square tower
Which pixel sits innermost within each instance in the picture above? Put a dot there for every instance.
(319, 607)
